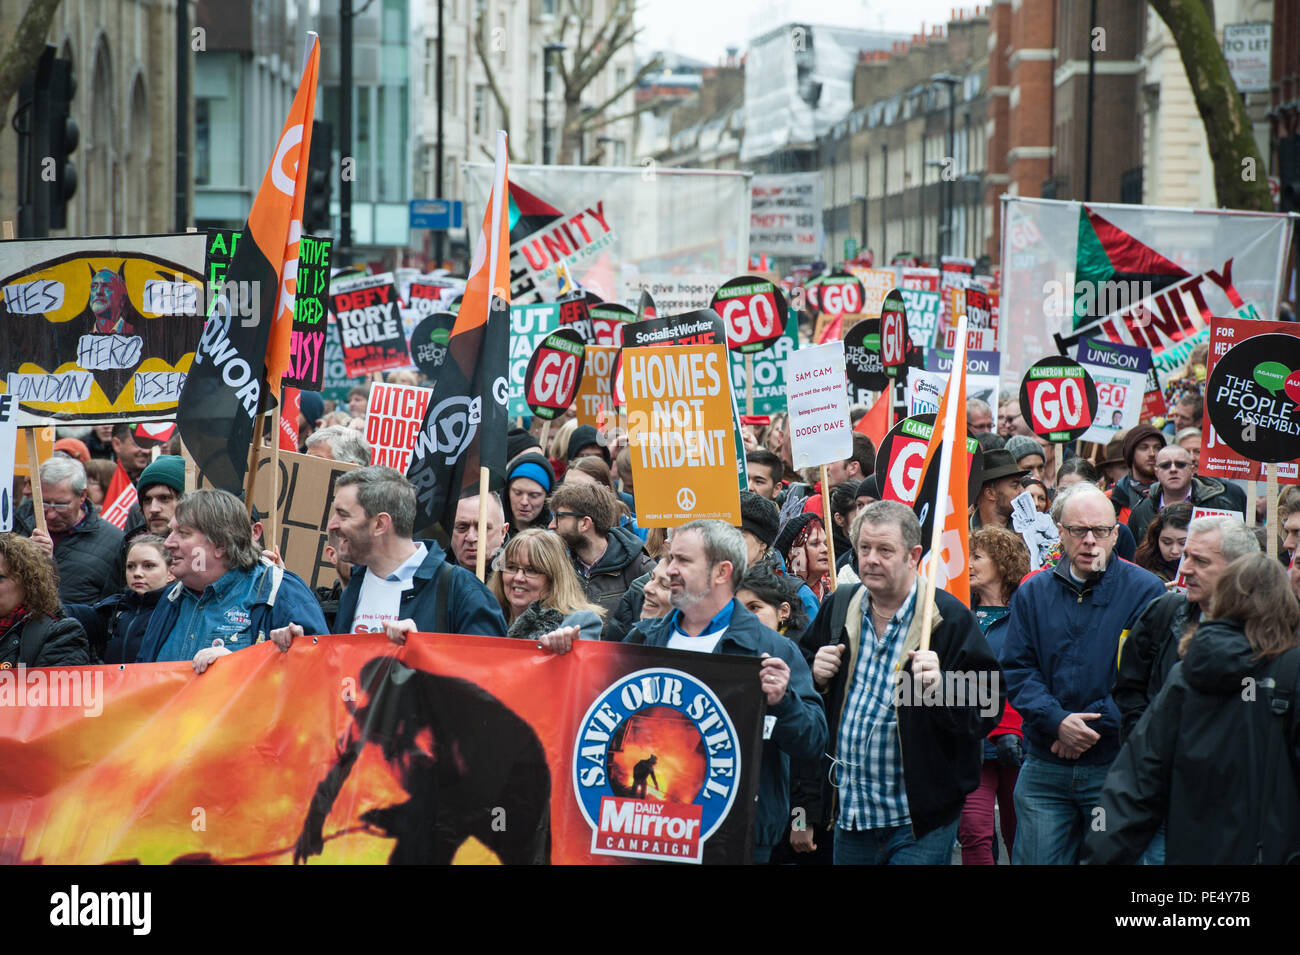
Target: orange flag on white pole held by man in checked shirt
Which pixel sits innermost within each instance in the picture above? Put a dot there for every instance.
(948, 449)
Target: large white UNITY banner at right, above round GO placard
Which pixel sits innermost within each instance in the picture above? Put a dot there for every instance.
(1136, 275)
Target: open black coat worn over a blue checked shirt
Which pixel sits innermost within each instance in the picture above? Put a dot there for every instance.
(942, 745)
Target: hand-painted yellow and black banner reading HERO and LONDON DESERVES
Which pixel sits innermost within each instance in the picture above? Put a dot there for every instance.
(99, 331)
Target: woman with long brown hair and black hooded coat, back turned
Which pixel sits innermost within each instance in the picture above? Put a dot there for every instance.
(1216, 771)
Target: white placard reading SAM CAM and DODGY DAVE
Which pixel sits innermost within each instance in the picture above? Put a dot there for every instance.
(818, 400)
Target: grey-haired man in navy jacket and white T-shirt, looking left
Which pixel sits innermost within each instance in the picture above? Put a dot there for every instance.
(400, 585)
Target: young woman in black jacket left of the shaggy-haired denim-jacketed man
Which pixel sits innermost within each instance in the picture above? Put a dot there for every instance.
(116, 626)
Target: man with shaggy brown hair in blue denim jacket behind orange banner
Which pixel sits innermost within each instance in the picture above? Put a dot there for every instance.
(226, 598)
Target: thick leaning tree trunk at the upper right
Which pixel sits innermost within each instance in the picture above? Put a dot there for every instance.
(1240, 172)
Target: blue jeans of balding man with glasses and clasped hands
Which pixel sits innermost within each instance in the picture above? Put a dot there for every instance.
(1055, 811)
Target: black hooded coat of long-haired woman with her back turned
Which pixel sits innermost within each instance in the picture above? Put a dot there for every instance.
(1212, 761)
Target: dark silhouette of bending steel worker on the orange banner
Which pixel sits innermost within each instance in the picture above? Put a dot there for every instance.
(473, 766)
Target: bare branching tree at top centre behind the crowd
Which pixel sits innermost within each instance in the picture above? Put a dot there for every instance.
(587, 57)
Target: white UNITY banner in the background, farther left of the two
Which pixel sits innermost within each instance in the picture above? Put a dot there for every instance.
(609, 225)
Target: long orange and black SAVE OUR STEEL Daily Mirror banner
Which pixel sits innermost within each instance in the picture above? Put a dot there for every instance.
(350, 750)
